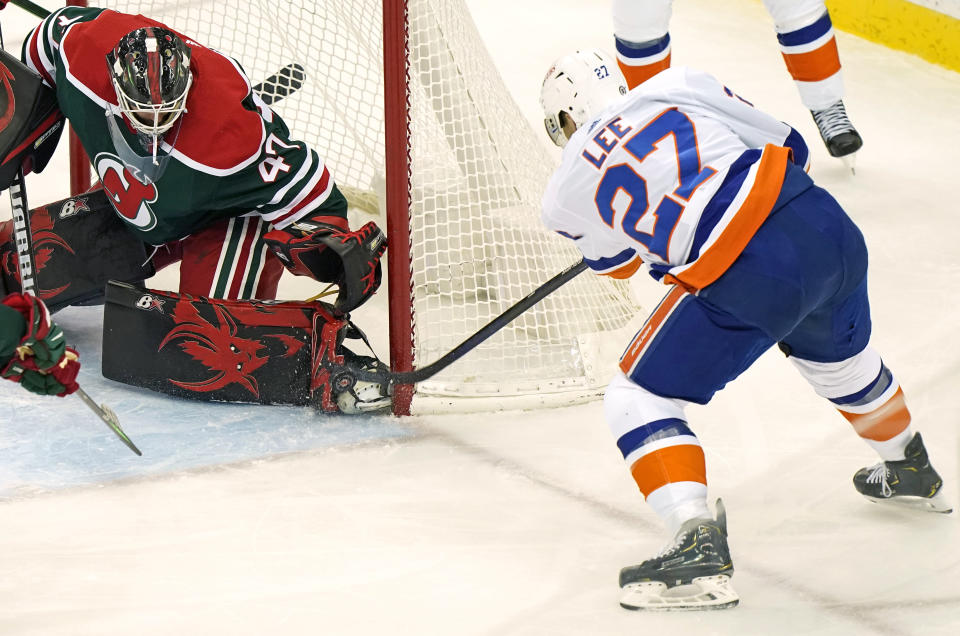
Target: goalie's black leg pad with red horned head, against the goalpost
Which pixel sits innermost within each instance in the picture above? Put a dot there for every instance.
(248, 351)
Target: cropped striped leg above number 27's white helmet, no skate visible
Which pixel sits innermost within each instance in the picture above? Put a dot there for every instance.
(642, 38)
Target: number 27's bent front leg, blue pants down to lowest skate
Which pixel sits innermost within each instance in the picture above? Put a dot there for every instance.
(686, 351)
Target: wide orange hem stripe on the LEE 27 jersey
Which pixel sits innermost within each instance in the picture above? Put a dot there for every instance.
(745, 223)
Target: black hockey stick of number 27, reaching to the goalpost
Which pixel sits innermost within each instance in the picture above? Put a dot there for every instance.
(390, 378)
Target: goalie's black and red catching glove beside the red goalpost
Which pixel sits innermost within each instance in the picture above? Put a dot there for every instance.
(332, 254)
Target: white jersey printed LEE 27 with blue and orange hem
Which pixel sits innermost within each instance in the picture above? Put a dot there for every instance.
(678, 174)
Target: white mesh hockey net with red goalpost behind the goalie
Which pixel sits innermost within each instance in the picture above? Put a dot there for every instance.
(474, 176)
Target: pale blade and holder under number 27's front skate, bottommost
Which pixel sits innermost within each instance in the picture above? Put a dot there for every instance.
(704, 593)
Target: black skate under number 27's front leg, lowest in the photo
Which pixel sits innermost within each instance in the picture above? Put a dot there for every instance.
(691, 574)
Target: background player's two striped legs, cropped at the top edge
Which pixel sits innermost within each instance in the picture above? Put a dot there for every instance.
(807, 43)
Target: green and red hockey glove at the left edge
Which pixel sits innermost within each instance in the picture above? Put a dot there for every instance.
(43, 363)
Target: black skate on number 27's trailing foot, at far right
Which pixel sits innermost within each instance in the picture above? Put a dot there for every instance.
(910, 482)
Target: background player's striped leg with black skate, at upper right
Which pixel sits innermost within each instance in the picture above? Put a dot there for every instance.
(809, 48)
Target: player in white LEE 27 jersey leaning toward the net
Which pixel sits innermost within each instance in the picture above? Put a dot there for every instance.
(710, 194)
